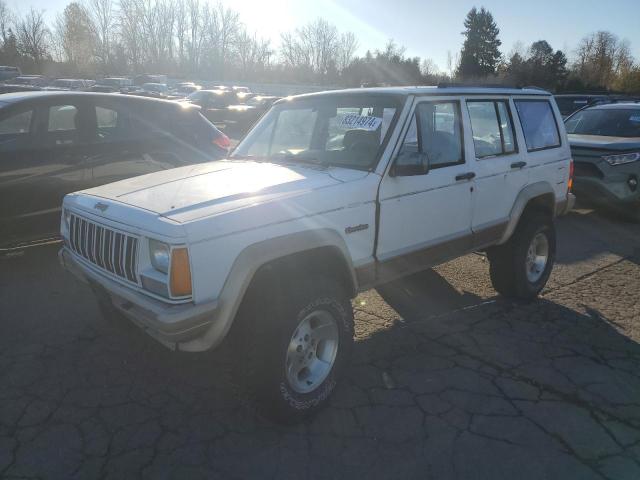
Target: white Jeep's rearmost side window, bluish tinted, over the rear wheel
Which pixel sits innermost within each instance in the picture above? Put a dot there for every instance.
(538, 123)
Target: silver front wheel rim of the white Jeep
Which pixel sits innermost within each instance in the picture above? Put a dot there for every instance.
(312, 351)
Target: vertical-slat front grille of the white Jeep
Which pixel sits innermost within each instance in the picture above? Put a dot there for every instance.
(108, 249)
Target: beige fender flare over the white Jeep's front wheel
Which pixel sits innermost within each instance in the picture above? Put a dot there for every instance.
(247, 264)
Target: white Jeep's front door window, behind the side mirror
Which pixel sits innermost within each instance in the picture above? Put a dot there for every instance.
(434, 138)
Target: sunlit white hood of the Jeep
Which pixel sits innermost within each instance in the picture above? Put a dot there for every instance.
(187, 193)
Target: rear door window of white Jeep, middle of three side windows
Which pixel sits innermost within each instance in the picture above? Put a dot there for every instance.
(492, 128)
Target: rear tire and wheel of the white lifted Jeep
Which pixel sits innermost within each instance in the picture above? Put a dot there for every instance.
(511, 274)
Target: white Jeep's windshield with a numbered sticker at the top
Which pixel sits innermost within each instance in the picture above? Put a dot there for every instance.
(345, 131)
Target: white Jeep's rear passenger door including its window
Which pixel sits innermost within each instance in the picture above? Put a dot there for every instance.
(501, 169)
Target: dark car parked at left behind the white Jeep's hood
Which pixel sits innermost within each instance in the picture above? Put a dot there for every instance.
(53, 143)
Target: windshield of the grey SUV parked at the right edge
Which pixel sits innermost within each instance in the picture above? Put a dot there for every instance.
(606, 122)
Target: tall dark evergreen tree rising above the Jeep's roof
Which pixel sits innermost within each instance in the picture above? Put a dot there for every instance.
(480, 55)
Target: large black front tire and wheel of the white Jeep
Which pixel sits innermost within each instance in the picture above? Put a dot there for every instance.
(263, 336)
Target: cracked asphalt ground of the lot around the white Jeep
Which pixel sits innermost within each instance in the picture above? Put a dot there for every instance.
(448, 381)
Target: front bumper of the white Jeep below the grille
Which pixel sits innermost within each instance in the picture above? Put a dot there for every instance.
(168, 324)
